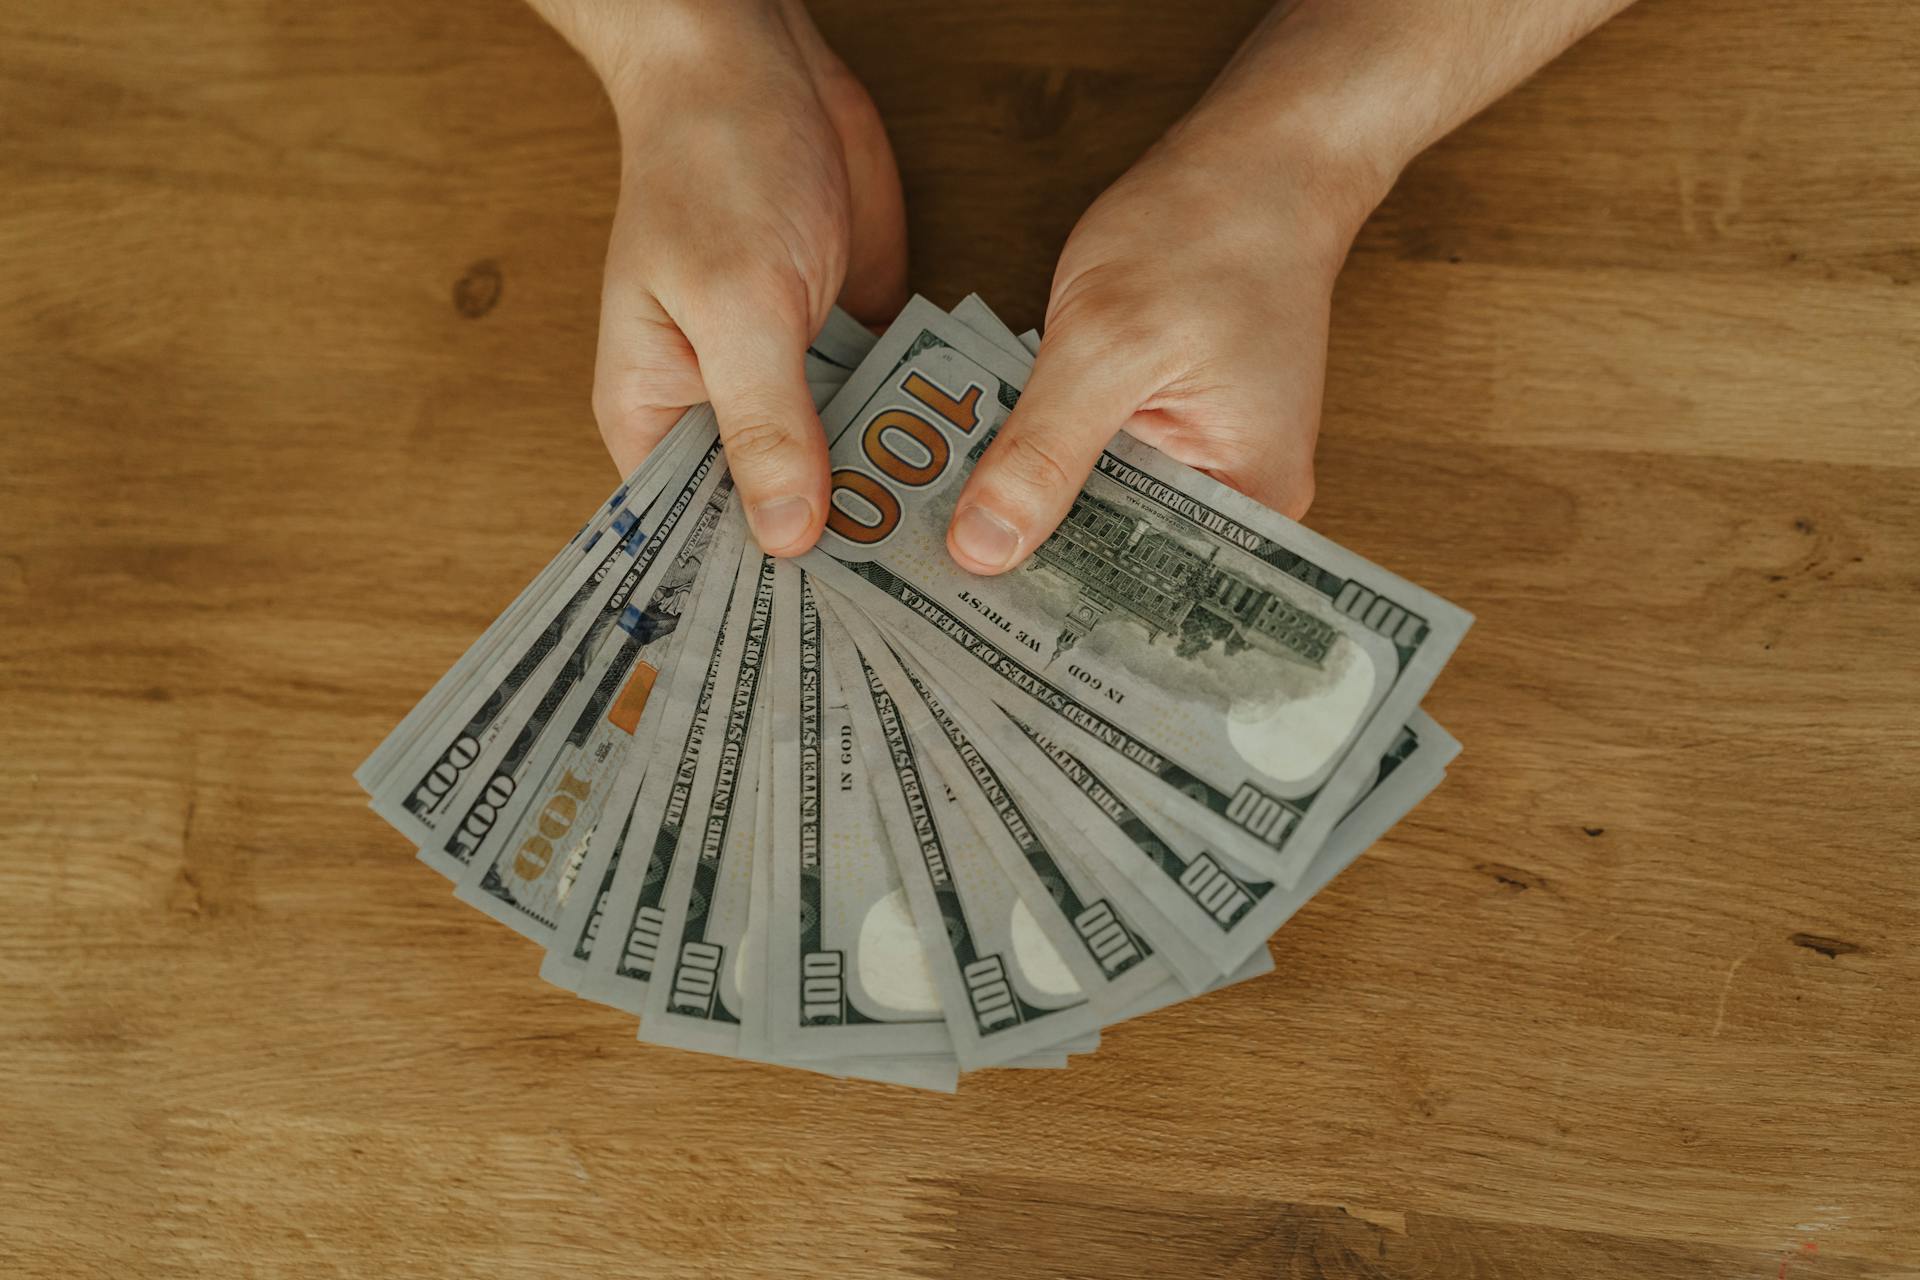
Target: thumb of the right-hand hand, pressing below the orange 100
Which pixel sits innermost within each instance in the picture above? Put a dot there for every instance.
(1076, 400)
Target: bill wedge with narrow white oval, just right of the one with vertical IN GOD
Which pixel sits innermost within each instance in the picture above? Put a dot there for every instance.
(1003, 995)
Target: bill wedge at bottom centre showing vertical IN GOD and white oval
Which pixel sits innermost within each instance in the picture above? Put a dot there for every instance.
(846, 966)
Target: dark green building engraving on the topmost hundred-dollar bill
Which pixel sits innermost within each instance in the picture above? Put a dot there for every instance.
(1124, 563)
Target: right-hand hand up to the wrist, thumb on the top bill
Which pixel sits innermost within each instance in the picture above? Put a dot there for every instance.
(1189, 310)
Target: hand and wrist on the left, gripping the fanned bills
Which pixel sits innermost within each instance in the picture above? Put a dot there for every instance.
(756, 189)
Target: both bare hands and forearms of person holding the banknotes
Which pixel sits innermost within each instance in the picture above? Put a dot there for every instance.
(1189, 306)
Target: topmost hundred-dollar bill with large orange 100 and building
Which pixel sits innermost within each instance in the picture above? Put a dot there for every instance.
(1172, 627)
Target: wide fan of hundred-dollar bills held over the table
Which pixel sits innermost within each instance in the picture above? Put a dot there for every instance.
(869, 815)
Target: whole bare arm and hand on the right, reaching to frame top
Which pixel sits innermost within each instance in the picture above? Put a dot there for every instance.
(1191, 300)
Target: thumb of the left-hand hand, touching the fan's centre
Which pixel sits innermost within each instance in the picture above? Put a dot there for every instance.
(779, 456)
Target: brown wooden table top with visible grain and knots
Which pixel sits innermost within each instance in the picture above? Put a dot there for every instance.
(297, 329)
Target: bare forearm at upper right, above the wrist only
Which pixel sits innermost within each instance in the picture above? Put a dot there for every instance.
(1368, 85)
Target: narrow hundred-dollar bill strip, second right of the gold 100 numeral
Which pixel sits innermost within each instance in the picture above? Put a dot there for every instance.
(675, 803)
